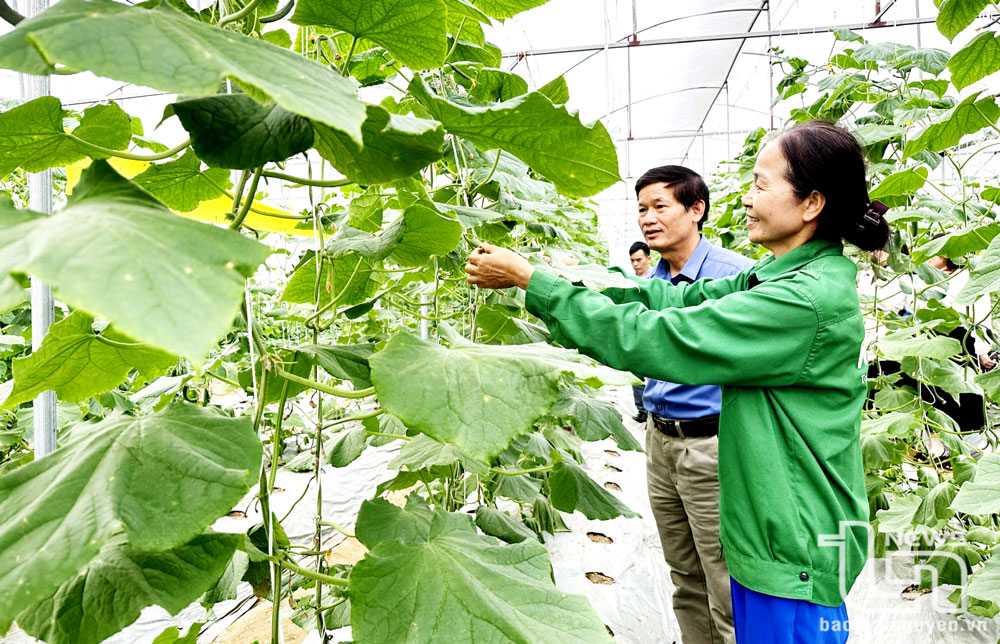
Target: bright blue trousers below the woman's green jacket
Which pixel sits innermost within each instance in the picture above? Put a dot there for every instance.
(765, 619)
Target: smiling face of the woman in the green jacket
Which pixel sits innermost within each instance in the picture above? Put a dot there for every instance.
(776, 218)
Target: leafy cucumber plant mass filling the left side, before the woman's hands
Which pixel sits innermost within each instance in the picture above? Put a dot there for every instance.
(194, 359)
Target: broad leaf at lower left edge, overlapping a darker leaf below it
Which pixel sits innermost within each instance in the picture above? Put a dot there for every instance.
(161, 479)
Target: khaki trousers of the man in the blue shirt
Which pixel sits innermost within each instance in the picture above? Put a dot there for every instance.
(683, 484)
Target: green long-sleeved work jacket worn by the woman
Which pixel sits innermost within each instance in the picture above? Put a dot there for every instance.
(783, 339)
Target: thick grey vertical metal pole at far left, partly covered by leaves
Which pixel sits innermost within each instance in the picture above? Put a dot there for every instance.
(42, 305)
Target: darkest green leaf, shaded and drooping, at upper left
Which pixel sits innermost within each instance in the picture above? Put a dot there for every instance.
(235, 131)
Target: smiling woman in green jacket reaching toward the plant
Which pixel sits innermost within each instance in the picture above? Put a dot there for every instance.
(783, 339)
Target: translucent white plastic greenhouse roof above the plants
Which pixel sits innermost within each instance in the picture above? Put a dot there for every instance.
(674, 81)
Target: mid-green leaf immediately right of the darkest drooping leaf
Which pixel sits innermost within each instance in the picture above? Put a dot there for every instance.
(394, 147)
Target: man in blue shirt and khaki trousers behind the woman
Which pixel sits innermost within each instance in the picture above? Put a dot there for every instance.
(683, 420)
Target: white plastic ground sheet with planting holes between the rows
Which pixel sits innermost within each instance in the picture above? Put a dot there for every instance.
(636, 606)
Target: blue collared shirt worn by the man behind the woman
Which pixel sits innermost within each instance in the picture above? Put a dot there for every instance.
(692, 401)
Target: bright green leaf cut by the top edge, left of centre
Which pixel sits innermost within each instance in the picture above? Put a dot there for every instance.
(414, 31)
